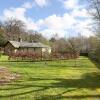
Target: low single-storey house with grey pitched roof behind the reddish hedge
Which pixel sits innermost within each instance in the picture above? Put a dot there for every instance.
(14, 46)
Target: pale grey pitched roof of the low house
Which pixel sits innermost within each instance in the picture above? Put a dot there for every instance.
(17, 44)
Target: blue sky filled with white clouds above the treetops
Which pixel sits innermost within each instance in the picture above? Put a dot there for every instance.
(62, 17)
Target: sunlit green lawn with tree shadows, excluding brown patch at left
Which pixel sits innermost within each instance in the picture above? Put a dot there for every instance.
(52, 80)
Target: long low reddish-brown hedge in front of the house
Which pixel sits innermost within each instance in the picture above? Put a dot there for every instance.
(35, 55)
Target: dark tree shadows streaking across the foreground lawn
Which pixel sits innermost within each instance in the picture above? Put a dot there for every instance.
(88, 81)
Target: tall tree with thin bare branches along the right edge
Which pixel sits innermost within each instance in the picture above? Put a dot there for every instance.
(95, 13)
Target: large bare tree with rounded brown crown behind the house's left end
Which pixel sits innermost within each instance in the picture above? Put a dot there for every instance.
(13, 28)
